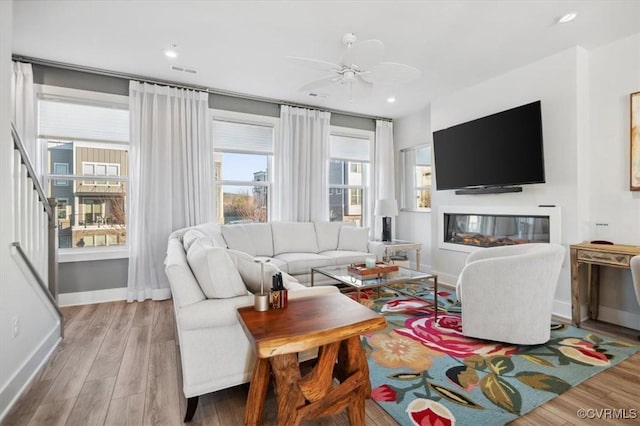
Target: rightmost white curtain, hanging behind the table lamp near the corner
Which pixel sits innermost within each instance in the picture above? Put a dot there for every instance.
(384, 187)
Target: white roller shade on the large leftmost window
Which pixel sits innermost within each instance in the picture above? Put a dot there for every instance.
(64, 120)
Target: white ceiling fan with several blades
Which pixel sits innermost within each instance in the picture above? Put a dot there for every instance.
(360, 68)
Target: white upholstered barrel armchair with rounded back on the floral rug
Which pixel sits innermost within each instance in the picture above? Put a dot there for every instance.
(507, 292)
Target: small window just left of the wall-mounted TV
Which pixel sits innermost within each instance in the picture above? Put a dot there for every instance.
(416, 178)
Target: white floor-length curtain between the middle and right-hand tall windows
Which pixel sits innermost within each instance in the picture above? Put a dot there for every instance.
(302, 165)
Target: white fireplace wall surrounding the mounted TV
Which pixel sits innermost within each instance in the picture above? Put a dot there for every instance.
(554, 81)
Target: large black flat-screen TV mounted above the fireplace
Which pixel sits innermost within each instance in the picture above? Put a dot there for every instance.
(498, 150)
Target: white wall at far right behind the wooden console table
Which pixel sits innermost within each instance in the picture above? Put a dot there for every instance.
(614, 74)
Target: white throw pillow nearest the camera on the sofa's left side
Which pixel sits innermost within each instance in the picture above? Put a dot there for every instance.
(215, 271)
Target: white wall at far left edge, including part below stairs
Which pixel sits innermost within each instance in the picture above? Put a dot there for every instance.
(20, 356)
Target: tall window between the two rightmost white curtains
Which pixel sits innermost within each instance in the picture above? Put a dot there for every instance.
(350, 153)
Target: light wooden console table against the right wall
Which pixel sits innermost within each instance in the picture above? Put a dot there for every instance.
(594, 256)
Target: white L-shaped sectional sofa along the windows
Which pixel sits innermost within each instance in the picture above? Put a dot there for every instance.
(212, 272)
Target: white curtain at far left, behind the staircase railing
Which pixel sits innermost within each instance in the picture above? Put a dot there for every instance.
(23, 113)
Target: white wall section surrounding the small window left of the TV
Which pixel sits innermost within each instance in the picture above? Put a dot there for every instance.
(410, 131)
